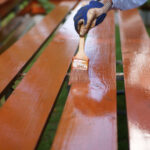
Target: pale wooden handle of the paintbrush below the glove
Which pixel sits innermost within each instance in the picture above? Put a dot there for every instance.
(81, 53)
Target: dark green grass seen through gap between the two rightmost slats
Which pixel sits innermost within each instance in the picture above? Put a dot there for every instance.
(121, 104)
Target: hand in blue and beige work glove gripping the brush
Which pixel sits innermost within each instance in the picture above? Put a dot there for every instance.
(91, 15)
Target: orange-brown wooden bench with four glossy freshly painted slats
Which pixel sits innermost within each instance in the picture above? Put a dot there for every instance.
(89, 119)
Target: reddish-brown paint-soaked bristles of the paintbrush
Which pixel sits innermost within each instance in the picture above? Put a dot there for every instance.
(78, 76)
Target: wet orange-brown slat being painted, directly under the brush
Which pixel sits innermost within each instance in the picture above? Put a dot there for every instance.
(89, 118)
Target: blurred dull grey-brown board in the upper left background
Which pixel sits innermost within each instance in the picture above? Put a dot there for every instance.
(27, 23)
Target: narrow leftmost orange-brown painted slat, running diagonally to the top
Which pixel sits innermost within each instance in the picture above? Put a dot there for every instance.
(12, 60)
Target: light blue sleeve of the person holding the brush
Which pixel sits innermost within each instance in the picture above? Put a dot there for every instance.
(127, 4)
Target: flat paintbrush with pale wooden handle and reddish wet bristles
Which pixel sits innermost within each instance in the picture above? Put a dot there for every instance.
(80, 65)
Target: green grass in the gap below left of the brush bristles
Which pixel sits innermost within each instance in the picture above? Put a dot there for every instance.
(49, 132)
